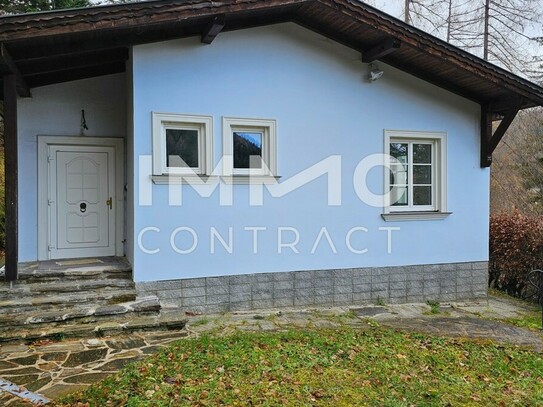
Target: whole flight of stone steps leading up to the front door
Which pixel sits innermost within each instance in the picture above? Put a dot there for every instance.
(83, 297)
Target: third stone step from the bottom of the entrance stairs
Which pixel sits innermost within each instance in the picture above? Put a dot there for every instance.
(19, 304)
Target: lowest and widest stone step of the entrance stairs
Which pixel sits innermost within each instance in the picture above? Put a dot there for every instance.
(169, 320)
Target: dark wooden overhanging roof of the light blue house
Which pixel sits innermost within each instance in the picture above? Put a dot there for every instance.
(54, 47)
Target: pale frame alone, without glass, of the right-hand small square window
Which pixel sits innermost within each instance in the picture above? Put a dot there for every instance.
(268, 128)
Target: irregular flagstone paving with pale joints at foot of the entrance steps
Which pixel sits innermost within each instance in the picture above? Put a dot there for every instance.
(54, 369)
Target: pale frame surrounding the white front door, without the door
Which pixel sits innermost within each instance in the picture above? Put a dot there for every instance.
(44, 219)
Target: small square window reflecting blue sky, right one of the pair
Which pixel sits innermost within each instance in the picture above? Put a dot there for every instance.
(249, 147)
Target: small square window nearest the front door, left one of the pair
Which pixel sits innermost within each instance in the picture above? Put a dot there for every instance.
(182, 144)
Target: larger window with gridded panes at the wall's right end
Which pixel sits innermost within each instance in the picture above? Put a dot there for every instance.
(416, 177)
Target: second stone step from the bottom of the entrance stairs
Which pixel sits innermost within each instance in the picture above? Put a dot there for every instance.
(81, 315)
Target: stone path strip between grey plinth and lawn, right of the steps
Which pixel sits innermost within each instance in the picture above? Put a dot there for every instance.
(468, 320)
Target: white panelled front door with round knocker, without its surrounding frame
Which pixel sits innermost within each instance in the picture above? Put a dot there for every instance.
(82, 201)
